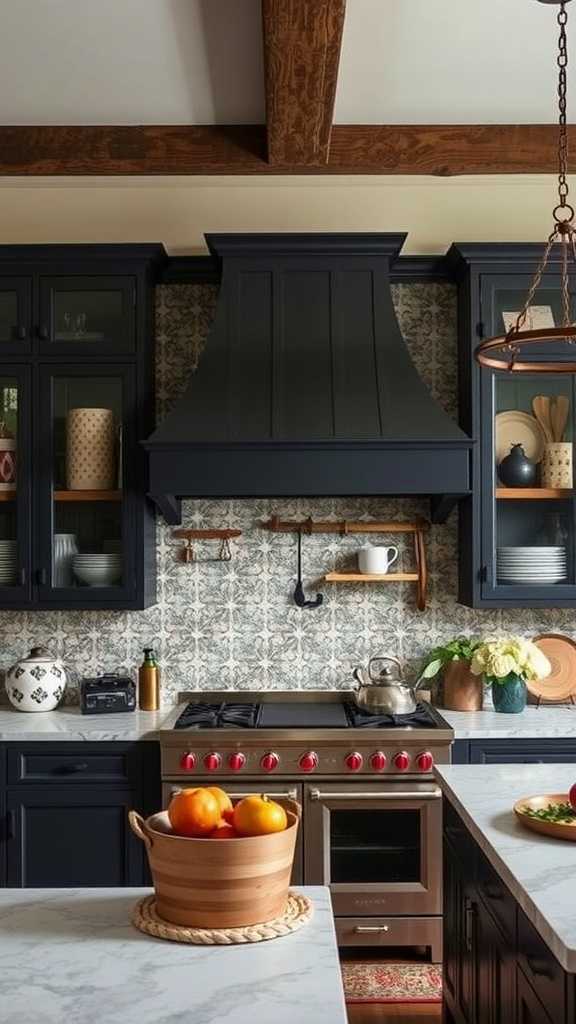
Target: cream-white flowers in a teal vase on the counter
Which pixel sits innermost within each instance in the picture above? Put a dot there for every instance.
(506, 664)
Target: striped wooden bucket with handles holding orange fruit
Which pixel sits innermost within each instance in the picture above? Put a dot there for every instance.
(215, 883)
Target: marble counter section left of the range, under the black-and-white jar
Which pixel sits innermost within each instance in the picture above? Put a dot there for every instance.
(69, 724)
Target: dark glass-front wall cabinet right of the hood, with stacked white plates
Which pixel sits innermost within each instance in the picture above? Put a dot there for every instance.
(517, 531)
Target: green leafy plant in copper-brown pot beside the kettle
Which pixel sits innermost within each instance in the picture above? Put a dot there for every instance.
(461, 690)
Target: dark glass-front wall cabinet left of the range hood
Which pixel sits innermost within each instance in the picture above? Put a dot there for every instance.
(76, 399)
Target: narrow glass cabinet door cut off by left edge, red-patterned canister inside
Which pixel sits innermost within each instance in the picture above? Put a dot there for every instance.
(15, 485)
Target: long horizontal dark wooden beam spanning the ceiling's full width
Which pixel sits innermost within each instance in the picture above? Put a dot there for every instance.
(434, 150)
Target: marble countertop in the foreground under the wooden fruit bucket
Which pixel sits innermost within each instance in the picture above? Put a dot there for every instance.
(71, 955)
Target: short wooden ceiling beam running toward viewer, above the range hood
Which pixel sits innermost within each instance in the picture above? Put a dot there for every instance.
(302, 40)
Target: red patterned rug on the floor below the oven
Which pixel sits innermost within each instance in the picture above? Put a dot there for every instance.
(372, 983)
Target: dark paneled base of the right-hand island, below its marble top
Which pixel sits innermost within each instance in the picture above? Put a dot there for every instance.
(498, 970)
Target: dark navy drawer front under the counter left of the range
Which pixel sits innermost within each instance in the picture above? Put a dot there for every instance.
(72, 764)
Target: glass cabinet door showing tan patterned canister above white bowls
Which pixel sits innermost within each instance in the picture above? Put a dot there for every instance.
(86, 554)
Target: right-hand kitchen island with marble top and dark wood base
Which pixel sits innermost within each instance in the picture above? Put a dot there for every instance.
(510, 922)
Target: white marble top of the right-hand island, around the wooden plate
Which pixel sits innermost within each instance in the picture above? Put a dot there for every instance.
(541, 872)
